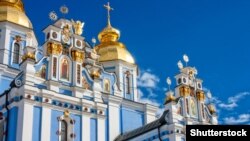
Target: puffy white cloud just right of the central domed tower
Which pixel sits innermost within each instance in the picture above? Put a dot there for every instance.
(148, 80)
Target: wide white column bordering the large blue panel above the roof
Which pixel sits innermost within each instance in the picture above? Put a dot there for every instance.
(114, 121)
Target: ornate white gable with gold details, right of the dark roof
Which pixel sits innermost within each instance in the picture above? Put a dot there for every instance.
(188, 98)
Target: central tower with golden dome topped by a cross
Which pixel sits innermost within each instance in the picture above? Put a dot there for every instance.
(115, 58)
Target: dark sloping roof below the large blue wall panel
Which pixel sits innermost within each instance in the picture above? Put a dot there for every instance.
(144, 129)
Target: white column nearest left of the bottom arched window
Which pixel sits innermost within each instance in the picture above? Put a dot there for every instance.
(46, 124)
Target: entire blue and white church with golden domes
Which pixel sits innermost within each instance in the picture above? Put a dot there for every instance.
(66, 89)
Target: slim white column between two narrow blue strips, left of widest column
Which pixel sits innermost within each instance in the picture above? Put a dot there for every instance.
(101, 129)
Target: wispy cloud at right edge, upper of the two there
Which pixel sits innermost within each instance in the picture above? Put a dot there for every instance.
(232, 102)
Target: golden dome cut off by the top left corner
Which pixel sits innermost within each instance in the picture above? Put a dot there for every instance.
(13, 11)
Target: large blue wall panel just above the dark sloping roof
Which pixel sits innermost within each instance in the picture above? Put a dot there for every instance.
(131, 119)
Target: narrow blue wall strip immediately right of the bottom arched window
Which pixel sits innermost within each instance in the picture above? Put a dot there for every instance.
(77, 127)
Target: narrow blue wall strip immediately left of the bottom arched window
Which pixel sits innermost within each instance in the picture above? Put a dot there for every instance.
(54, 124)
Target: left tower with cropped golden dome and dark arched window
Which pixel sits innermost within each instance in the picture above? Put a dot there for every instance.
(16, 32)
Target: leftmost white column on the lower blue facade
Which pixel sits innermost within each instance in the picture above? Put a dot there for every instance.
(27, 123)
